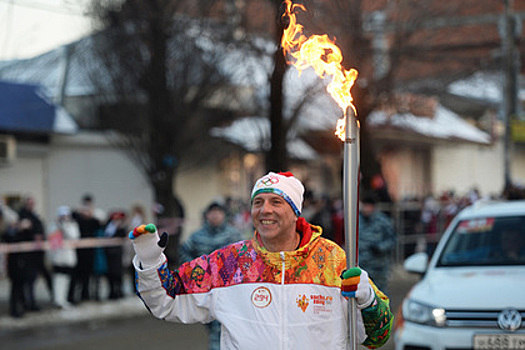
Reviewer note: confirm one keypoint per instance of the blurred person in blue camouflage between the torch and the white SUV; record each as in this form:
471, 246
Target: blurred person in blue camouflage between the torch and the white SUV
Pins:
377, 240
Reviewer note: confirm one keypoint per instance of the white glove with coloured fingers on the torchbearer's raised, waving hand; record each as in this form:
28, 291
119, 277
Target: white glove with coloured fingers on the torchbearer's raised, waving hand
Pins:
148, 246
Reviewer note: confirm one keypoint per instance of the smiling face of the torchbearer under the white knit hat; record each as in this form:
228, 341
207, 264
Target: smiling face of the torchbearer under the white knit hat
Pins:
273, 217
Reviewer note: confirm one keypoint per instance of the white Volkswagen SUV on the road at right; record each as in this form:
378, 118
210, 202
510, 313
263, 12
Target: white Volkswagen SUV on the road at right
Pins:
472, 293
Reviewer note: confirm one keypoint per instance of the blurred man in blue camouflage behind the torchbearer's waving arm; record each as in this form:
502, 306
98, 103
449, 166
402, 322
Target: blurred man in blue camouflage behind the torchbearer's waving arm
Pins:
214, 234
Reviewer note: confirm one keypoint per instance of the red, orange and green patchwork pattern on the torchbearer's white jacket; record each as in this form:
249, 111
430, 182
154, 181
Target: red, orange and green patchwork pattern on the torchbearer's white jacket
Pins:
319, 261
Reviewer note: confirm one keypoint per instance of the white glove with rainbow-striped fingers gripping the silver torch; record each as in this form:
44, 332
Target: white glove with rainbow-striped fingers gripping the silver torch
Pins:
355, 284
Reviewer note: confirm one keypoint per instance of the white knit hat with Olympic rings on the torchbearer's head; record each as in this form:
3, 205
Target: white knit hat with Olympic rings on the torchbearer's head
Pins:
284, 185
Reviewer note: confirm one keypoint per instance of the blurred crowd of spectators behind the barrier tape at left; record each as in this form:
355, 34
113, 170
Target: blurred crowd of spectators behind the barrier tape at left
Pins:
73, 272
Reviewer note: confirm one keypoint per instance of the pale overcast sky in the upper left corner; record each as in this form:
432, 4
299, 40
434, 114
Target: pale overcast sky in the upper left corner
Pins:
32, 27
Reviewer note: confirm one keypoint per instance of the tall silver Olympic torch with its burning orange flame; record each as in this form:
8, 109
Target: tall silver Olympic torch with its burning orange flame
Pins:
321, 54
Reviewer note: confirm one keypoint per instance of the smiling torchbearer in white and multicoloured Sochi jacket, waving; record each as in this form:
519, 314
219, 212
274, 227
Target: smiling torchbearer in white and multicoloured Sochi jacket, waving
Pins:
279, 290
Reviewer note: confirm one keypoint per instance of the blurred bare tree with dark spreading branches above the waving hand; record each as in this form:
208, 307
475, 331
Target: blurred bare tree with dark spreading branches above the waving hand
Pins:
160, 79
